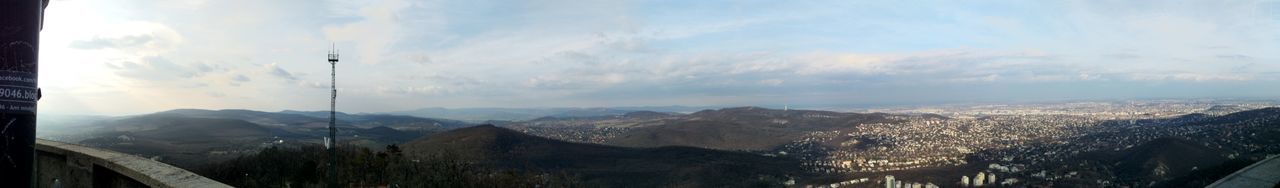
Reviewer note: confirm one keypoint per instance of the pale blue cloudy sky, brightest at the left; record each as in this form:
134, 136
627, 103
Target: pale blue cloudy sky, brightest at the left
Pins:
136, 57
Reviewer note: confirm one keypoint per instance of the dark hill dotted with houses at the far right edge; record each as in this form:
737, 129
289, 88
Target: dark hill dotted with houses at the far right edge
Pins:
1188, 159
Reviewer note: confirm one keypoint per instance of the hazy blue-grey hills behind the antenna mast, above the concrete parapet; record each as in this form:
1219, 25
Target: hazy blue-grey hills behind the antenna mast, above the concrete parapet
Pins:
190, 137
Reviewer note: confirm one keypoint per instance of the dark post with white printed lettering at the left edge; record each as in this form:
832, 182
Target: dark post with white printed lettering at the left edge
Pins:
20, 44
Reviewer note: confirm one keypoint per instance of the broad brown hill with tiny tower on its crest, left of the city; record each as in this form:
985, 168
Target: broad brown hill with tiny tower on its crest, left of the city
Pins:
742, 129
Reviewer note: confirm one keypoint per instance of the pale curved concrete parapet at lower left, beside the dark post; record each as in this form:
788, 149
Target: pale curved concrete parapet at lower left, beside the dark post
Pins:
74, 167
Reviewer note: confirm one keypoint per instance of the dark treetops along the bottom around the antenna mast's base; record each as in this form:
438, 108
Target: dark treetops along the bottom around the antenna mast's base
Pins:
305, 167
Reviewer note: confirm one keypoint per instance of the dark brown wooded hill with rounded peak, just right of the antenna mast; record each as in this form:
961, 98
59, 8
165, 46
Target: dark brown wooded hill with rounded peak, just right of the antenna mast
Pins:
609, 166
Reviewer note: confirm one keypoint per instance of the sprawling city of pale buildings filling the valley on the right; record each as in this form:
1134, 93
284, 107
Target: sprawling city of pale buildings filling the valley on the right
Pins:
1017, 141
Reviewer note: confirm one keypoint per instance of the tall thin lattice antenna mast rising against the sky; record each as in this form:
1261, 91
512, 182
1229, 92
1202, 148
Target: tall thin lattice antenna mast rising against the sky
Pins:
333, 121
